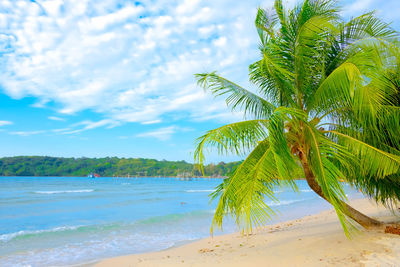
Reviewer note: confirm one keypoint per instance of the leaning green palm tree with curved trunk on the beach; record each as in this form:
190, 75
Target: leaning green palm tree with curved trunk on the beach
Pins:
325, 90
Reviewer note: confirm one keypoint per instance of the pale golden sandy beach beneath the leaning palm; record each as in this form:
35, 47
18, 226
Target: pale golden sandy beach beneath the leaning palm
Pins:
315, 240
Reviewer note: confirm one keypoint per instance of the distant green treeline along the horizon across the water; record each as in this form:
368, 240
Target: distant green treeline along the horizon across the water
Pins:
54, 166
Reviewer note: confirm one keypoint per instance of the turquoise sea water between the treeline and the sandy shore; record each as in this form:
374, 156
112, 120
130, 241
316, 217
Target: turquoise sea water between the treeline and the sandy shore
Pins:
57, 221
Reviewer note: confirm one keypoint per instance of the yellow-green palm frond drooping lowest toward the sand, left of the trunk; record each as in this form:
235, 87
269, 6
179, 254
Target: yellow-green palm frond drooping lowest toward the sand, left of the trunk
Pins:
243, 194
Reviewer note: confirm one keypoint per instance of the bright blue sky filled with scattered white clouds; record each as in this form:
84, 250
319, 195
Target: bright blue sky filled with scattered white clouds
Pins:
85, 78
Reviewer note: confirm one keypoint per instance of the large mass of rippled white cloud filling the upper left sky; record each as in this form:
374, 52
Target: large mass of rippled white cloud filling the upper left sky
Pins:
128, 62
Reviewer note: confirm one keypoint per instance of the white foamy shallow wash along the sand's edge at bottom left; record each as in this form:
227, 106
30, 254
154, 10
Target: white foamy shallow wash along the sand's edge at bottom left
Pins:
89, 251
